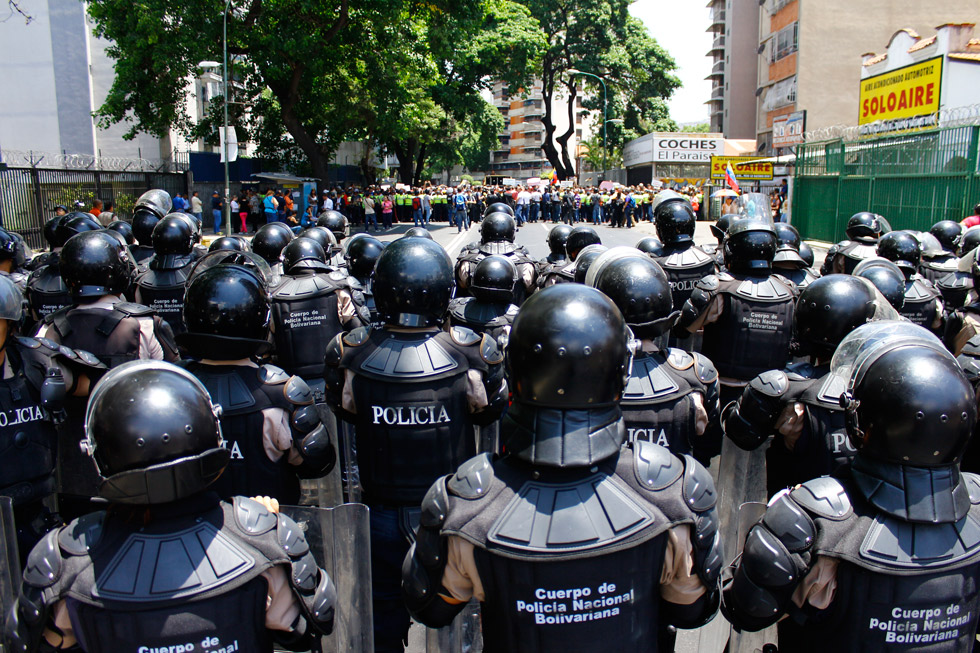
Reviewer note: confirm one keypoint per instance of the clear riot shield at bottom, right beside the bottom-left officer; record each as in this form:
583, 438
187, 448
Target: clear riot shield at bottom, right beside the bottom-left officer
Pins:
340, 540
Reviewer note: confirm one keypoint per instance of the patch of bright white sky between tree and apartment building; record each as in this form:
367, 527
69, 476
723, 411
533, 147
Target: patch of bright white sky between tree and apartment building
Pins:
679, 26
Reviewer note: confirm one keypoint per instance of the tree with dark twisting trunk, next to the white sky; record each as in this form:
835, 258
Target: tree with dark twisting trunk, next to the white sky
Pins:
599, 37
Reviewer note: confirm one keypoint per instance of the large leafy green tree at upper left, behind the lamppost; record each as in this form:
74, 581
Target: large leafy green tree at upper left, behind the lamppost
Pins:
307, 75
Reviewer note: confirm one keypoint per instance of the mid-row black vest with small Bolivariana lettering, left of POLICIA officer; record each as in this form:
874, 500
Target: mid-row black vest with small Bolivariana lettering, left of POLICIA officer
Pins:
304, 308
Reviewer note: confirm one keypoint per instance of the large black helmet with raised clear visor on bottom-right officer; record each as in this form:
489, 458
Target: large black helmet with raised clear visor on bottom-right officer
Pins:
909, 403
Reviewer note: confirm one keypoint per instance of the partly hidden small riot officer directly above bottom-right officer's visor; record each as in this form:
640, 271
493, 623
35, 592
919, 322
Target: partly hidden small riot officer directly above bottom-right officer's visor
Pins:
923, 304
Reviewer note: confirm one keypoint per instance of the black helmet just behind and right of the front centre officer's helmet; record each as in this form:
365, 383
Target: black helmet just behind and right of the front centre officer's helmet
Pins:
641, 291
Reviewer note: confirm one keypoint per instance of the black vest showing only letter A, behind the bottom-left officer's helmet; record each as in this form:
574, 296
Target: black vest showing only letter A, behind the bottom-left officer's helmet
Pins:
243, 393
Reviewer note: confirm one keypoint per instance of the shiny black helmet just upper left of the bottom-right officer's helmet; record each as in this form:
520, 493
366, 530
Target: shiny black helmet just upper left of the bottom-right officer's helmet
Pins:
830, 308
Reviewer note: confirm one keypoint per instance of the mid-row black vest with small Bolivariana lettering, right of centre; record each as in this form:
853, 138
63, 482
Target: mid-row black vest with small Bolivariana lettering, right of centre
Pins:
754, 330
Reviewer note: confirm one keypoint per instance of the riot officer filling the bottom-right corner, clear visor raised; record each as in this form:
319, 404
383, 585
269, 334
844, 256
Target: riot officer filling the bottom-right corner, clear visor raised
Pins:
884, 555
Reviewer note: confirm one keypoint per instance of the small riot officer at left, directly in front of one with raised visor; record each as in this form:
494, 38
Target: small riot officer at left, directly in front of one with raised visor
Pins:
161, 286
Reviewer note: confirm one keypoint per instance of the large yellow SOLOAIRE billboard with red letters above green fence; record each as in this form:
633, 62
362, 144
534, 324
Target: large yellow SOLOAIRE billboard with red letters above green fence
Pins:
901, 99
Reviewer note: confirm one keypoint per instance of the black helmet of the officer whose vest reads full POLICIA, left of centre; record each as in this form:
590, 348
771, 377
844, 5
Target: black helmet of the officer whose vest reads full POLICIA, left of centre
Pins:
413, 282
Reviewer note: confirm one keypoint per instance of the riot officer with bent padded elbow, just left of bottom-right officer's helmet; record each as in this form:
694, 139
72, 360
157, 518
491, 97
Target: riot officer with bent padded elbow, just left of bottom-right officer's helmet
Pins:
799, 406
